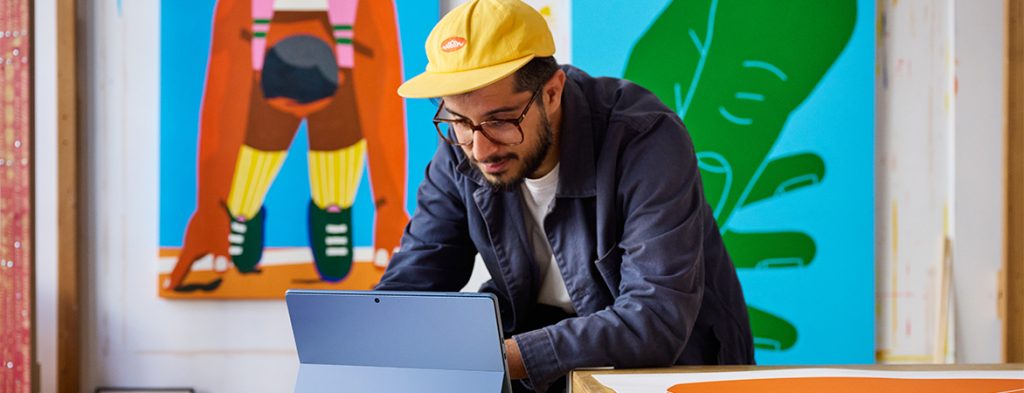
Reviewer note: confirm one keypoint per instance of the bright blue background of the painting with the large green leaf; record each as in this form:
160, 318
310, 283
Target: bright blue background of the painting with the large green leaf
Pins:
832, 301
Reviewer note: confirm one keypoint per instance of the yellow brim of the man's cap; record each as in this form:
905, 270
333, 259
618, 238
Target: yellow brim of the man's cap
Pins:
431, 85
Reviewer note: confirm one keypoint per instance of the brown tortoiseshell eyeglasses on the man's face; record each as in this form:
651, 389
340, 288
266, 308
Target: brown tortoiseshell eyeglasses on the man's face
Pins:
506, 133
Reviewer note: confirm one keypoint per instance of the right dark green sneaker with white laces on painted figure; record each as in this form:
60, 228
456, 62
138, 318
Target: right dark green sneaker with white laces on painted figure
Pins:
331, 241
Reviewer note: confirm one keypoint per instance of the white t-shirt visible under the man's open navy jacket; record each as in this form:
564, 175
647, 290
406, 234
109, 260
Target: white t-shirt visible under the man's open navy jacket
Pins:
538, 196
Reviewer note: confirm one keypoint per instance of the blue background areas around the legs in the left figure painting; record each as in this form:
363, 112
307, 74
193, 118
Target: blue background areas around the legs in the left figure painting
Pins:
185, 47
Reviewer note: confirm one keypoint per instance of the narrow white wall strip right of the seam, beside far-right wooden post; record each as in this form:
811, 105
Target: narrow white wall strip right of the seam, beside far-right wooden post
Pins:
979, 199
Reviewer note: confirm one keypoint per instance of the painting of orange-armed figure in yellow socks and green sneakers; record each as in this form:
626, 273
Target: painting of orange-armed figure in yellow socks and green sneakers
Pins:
296, 109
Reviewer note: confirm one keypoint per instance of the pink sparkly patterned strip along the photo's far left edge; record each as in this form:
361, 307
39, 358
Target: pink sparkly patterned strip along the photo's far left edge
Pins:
16, 190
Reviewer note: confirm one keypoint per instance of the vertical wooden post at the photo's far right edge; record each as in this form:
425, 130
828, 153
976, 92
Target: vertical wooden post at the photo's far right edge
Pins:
1014, 323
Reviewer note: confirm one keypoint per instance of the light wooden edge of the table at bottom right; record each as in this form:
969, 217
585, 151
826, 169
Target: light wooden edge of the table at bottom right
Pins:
584, 382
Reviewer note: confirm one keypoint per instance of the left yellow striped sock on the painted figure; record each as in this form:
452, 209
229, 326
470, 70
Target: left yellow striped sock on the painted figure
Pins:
254, 172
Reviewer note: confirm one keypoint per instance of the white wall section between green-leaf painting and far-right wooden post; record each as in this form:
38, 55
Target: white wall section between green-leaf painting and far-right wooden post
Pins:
941, 177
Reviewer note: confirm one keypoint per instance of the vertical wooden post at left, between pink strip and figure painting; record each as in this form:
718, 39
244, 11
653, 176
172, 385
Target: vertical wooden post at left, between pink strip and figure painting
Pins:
69, 192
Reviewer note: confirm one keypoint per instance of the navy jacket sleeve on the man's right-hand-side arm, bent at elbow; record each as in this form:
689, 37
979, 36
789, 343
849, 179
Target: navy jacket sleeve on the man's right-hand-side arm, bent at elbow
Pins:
663, 267
